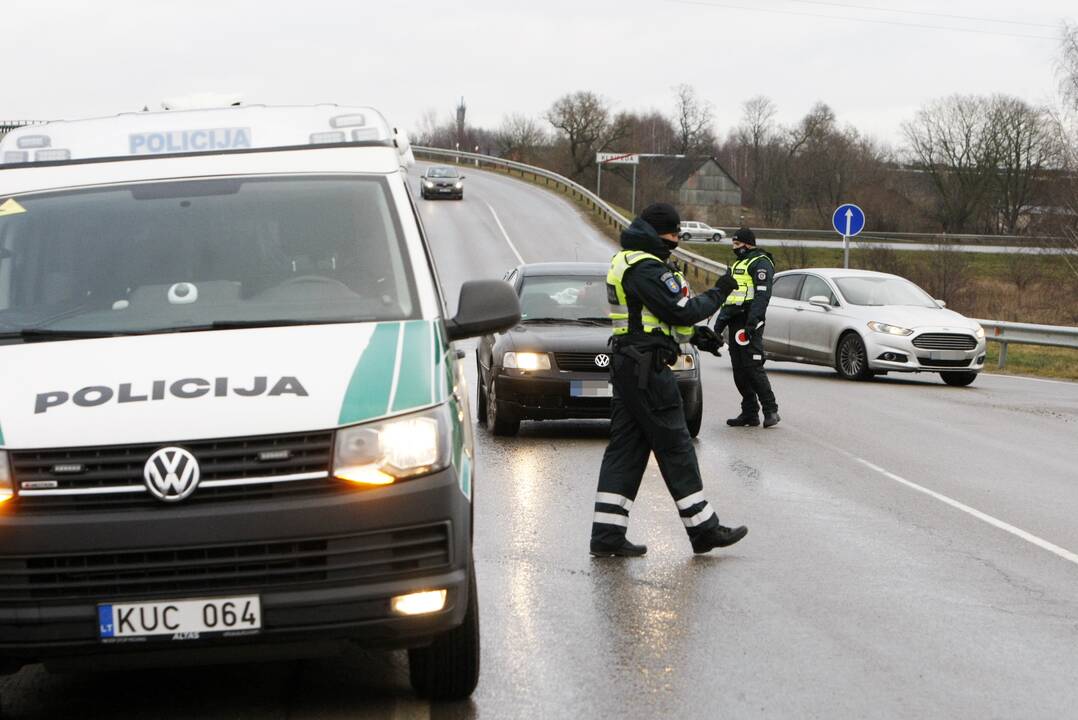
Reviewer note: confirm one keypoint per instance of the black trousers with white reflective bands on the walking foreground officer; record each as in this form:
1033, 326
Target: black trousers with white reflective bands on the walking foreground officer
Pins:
646, 421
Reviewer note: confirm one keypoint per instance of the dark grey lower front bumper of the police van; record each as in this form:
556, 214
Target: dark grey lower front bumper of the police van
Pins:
324, 567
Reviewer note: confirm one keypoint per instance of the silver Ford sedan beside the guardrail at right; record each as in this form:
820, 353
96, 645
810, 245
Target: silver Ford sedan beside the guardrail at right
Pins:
867, 324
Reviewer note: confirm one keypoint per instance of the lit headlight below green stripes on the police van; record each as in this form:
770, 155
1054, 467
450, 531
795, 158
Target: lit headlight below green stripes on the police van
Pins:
388, 451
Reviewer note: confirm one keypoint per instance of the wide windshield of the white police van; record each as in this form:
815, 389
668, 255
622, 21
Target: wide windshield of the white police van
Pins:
169, 256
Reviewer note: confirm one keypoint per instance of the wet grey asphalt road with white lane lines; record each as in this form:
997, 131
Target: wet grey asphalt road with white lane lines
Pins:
856, 594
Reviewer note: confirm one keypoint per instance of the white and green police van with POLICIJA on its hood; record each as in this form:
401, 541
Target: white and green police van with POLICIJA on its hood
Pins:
232, 424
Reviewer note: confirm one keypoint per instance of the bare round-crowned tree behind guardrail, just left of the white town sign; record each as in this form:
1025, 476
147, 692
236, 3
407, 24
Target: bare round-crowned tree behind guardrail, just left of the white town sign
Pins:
586, 121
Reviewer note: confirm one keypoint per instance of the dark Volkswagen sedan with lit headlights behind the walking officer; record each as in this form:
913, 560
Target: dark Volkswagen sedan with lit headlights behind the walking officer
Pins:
556, 364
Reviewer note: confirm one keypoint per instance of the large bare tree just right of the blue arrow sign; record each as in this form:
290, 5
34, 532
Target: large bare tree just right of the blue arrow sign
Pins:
951, 141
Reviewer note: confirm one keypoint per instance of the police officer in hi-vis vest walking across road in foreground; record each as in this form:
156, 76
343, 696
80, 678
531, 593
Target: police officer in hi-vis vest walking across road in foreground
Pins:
653, 313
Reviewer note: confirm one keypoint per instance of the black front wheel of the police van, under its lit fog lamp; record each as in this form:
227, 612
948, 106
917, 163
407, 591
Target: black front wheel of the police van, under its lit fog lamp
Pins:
449, 668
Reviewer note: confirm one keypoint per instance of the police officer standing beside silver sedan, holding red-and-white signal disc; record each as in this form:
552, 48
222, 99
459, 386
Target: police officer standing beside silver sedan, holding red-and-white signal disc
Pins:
743, 314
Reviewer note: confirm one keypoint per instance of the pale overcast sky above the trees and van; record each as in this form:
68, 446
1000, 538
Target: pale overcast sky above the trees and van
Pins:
874, 65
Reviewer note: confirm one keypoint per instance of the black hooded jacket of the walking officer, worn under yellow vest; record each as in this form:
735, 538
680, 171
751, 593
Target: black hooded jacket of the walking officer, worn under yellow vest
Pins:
653, 284
